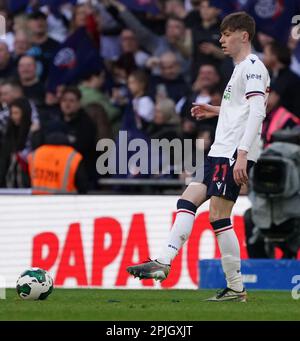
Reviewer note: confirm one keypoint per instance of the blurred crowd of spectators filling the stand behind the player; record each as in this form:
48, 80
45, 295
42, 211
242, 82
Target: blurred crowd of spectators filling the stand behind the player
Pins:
73, 72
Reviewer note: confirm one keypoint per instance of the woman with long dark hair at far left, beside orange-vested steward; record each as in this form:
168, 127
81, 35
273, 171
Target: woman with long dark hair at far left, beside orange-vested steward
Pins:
16, 145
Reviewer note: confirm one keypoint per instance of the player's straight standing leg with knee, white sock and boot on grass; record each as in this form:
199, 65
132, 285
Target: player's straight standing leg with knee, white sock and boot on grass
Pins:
220, 212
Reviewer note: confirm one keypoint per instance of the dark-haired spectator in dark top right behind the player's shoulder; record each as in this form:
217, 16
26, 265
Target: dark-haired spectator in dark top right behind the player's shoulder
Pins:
285, 83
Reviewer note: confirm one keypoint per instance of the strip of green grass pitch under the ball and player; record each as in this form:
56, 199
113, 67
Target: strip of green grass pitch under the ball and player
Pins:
149, 305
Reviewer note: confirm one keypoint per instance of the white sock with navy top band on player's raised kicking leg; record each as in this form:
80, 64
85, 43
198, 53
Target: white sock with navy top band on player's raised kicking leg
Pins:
179, 232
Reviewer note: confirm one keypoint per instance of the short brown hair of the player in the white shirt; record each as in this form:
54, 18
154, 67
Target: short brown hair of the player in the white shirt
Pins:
239, 21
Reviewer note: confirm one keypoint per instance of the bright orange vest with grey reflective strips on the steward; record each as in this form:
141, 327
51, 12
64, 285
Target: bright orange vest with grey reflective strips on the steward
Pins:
53, 168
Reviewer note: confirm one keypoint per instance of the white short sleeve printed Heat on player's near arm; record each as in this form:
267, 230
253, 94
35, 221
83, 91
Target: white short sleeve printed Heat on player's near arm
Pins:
254, 78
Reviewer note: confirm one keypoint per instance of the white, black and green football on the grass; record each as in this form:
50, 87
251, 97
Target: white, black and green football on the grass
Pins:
34, 284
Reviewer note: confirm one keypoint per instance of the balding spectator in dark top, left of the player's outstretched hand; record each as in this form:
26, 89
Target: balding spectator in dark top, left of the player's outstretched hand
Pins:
170, 83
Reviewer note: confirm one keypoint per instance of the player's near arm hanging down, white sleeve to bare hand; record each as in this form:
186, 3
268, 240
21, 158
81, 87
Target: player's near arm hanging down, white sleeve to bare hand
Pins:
255, 94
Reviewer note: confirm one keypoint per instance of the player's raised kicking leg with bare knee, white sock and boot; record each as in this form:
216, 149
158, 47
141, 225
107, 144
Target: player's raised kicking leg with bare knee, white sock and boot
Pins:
191, 199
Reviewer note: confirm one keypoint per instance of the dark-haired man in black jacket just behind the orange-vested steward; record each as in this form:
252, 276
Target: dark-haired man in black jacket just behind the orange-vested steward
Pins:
80, 129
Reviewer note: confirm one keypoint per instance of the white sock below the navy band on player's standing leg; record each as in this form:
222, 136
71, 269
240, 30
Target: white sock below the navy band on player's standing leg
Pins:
231, 260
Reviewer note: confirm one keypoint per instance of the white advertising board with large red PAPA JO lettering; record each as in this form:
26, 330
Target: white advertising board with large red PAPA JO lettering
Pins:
88, 241
